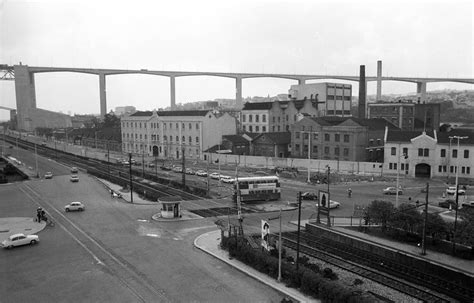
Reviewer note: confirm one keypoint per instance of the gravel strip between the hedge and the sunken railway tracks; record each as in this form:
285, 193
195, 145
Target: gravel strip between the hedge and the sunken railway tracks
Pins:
348, 278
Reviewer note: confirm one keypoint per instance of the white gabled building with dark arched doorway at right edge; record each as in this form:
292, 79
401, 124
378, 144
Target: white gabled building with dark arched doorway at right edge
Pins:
429, 154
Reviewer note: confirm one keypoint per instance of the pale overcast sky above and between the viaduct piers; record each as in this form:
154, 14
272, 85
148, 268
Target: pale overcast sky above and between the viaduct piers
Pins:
413, 38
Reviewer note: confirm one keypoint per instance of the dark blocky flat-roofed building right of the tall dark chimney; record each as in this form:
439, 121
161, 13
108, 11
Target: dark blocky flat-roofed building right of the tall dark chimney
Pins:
407, 115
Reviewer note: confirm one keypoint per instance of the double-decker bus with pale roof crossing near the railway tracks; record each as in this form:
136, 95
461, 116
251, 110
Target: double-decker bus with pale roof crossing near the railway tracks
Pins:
258, 188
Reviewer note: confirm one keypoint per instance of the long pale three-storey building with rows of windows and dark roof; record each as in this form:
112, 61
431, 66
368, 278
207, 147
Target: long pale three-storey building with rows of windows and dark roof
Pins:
167, 134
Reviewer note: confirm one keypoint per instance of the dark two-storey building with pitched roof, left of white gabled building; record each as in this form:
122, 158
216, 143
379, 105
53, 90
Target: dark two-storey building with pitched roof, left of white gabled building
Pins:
334, 138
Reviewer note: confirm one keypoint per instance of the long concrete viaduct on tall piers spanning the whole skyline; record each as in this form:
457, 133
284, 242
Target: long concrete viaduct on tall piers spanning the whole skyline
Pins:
23, 75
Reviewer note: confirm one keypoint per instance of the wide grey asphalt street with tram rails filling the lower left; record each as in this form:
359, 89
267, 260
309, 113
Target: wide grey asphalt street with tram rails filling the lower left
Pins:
111, 252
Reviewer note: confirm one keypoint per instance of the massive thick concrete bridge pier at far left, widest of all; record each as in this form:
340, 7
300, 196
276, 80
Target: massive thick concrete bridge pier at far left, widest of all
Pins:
25, 95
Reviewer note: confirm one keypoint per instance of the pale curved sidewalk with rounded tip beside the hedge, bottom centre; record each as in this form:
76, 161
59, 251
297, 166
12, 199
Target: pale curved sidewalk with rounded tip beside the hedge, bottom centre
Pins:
209, 243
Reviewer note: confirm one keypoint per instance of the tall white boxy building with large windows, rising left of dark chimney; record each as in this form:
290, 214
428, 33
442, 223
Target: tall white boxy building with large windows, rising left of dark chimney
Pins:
332, 99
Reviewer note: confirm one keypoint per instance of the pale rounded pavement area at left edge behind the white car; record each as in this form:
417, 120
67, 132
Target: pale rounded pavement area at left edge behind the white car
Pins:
15, 225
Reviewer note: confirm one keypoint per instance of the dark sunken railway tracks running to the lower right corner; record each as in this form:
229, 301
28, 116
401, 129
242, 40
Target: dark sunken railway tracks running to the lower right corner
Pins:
418, 284
